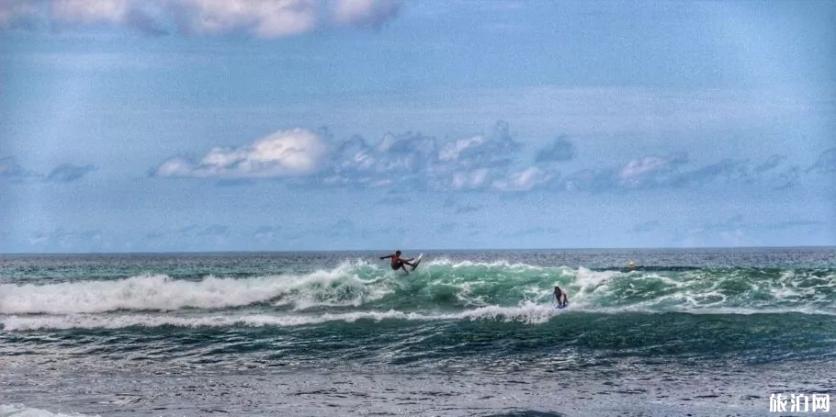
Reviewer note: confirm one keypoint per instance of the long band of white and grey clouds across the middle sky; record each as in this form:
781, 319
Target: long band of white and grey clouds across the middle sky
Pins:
492, 161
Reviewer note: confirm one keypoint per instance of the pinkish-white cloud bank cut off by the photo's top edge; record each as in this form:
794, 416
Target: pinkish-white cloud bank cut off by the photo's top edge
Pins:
268, 19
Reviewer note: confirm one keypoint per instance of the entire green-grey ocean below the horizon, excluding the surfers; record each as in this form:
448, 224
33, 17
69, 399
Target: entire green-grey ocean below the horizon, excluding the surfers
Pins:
693, 332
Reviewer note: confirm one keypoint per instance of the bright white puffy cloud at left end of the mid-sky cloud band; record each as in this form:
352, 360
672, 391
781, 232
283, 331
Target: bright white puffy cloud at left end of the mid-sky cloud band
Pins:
283, 154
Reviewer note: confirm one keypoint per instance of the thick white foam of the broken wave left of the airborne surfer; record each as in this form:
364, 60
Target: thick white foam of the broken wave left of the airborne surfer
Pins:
339, 286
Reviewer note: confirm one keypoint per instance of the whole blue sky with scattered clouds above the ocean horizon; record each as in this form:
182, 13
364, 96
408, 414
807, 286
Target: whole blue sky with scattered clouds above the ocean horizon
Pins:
235, 125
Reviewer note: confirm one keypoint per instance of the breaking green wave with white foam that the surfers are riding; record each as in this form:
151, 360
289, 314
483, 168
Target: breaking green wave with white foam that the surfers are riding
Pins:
440, 285
